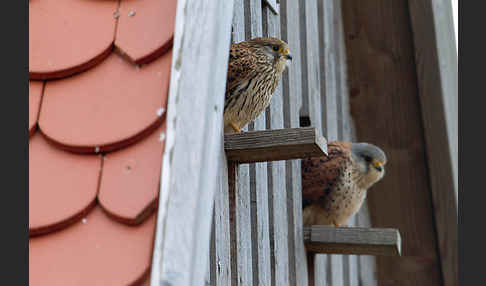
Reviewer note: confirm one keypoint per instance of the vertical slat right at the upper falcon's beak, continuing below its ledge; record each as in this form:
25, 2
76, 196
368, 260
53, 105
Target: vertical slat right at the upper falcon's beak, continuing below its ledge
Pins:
290, 31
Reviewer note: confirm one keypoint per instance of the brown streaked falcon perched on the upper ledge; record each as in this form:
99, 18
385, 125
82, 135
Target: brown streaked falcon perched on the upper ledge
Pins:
254, 70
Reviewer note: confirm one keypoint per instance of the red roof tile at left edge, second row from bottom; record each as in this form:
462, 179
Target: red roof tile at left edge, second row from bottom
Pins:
63, 185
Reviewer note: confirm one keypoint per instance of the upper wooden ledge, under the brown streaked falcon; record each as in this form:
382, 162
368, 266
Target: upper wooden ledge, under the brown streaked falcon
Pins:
274, 145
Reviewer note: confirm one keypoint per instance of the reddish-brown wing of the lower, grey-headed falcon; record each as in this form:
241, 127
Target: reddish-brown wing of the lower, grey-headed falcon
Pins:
320, 174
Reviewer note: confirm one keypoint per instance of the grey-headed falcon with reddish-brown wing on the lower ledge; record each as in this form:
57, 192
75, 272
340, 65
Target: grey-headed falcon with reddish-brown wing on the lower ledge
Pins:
334, 187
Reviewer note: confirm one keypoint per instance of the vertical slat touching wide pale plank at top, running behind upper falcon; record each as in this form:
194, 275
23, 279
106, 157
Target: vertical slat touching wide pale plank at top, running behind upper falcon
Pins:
242, 247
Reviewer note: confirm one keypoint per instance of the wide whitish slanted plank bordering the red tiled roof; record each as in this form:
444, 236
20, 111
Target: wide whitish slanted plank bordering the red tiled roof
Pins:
186, 198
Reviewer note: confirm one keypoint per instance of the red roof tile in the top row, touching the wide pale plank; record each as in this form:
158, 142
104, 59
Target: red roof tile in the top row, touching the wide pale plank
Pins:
145, 28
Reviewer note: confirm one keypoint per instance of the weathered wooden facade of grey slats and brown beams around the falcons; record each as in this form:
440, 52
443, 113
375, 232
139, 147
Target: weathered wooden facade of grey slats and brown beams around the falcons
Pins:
361, 71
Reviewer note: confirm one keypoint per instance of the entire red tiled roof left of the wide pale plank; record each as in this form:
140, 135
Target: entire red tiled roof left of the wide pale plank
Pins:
99, 79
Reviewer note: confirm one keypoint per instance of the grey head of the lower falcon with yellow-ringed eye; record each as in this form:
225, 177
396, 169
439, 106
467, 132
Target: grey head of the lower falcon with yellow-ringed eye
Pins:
370, 161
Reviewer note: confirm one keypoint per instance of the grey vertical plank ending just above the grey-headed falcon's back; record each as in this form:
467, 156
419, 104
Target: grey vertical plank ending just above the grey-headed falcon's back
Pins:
311, 90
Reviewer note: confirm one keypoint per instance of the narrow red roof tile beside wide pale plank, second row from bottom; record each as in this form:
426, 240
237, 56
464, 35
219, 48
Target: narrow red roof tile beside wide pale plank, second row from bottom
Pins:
130, 182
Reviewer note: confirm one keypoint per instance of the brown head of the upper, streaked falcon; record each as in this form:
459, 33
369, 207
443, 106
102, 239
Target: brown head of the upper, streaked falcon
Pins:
276, 51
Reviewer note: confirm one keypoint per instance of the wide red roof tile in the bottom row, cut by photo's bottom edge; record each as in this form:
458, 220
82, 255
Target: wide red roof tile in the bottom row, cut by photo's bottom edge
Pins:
94, 251
